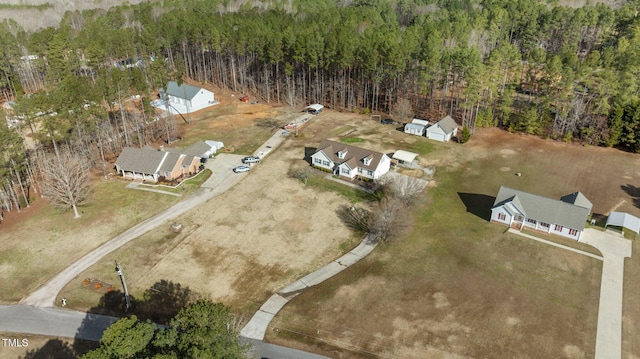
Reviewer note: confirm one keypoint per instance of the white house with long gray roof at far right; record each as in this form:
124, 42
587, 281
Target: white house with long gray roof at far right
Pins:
565, 217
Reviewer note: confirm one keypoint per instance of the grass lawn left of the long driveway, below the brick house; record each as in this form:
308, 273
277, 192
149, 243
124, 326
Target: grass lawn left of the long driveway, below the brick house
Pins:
56, 239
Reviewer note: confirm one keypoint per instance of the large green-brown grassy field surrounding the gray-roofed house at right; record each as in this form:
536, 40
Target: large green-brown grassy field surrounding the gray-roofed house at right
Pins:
456, 285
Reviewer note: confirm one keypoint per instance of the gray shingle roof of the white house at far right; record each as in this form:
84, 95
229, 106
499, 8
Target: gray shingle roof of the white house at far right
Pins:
544, 209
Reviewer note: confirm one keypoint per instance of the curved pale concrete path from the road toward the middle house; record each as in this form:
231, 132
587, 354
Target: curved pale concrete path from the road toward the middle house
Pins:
257, 326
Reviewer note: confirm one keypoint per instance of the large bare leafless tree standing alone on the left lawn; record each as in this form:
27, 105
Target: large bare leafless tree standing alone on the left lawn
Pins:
65, 179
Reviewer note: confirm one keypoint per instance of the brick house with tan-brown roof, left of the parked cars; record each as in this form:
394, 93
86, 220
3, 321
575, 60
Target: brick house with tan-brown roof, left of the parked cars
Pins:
148, 164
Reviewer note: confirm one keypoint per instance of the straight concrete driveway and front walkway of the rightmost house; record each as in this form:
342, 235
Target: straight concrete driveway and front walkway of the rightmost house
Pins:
614, 250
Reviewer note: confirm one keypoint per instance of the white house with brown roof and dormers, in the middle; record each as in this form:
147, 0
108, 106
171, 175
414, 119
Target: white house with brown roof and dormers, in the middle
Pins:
349, 161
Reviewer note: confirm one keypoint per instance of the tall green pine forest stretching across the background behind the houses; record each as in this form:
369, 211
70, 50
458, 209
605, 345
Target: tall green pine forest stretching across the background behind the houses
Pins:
533, 66
